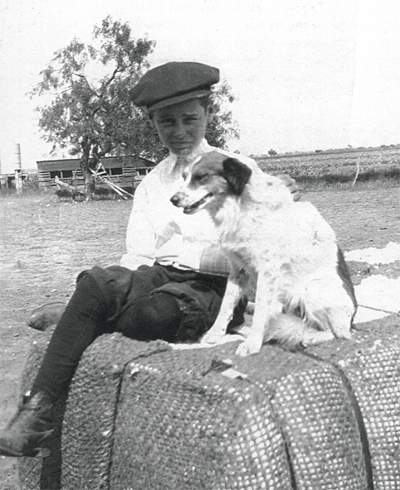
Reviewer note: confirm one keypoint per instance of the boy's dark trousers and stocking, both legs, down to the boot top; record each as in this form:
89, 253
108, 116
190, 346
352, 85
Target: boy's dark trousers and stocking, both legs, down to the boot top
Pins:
149, 303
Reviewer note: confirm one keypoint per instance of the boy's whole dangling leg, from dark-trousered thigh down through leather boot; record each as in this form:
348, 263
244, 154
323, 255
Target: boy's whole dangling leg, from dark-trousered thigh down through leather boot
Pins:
98, 299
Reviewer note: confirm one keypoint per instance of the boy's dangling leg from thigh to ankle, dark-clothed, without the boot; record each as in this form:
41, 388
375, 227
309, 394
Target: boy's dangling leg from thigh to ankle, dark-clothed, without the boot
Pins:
99, 299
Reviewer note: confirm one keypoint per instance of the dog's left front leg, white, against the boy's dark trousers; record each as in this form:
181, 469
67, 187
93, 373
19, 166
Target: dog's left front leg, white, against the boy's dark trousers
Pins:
225, 315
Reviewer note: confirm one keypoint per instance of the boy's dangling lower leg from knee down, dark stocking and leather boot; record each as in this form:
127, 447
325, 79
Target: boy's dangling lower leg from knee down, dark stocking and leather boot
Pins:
32, 423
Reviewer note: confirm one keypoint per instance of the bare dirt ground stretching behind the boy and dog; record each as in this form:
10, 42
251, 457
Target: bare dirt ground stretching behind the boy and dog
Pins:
45, 243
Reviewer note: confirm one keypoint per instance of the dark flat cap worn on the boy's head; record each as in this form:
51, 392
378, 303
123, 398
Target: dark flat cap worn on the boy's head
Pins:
173, 83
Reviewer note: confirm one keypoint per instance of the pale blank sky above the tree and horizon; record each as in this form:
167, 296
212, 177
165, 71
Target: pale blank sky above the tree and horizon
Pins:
307, 74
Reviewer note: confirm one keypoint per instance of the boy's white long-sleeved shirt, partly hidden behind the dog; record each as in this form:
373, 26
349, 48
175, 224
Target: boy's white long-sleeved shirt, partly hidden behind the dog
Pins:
160, 232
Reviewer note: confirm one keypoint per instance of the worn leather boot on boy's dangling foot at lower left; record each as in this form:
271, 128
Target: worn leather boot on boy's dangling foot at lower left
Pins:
29, 428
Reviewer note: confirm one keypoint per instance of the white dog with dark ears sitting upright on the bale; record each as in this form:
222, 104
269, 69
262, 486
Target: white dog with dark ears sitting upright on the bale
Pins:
283, 250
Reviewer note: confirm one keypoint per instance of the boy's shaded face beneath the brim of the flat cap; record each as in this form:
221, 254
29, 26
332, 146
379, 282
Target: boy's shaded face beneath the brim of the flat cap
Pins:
181, 127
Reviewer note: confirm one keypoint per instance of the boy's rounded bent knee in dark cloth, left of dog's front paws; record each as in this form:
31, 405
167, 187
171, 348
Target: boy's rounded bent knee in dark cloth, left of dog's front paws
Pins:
157, 316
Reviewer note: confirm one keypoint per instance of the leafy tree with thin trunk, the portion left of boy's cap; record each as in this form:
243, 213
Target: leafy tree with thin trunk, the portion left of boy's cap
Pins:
93, 116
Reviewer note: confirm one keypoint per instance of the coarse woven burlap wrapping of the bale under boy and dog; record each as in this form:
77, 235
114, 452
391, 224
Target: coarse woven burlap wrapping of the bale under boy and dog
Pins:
143, 416
